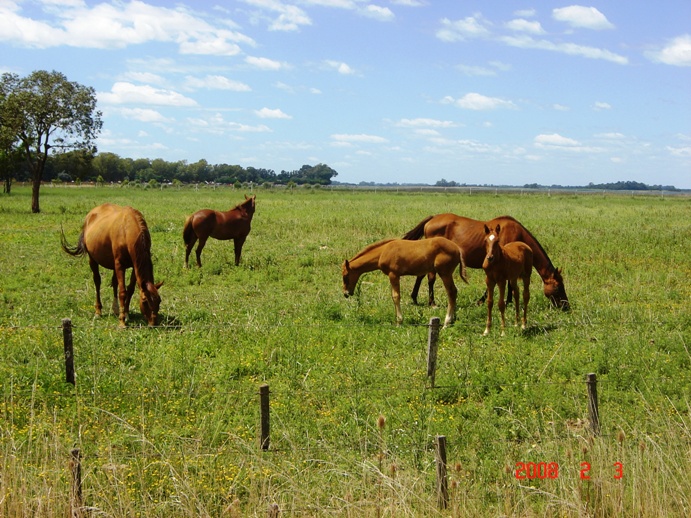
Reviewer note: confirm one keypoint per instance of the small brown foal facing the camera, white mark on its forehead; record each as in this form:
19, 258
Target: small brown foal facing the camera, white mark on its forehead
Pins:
504, 263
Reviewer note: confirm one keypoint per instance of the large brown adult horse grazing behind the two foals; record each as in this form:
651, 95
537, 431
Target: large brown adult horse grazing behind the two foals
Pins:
470, 236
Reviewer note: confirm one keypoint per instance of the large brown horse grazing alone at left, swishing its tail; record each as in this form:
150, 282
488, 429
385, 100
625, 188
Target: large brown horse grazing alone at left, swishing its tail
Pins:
117, 238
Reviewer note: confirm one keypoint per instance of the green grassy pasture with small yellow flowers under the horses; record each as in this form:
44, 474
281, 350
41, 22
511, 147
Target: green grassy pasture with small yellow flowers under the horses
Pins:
167, 418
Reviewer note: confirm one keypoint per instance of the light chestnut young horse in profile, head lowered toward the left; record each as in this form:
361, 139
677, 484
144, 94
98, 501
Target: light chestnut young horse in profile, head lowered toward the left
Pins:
397, 257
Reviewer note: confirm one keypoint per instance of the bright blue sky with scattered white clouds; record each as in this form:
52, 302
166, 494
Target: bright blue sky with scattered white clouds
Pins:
387, 91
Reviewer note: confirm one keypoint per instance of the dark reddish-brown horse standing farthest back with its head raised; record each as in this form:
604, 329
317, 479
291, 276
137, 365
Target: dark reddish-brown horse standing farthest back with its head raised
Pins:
233, 224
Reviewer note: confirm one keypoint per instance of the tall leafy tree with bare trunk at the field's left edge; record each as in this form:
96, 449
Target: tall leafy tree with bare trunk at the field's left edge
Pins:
46, 113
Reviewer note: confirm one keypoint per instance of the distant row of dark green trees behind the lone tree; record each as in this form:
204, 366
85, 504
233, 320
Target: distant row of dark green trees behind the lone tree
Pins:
109, 167
